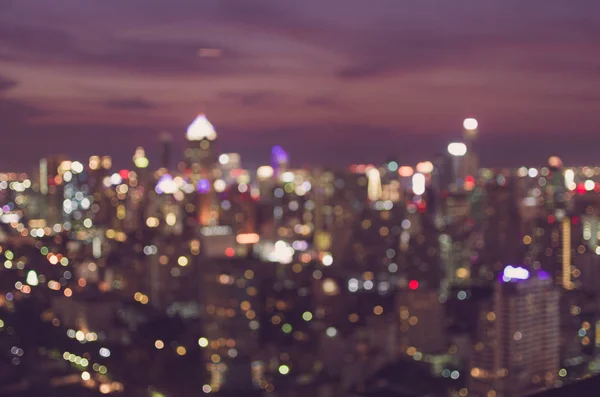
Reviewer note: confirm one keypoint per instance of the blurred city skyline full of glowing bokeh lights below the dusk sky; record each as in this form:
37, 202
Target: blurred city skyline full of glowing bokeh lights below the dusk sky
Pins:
196, 276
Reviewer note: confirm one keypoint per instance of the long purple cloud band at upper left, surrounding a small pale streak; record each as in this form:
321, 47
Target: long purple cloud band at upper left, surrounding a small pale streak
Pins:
156, 57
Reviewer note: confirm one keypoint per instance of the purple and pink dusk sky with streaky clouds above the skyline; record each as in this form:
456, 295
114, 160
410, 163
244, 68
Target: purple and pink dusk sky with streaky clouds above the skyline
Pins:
332, 81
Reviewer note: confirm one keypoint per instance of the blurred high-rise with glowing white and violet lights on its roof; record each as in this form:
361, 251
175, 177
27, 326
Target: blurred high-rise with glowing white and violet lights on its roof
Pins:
517, 351
